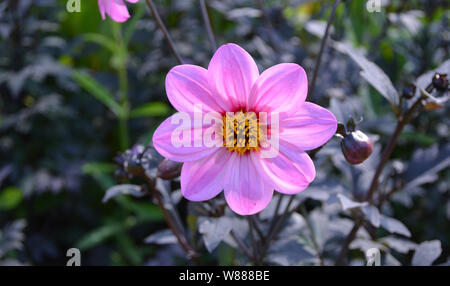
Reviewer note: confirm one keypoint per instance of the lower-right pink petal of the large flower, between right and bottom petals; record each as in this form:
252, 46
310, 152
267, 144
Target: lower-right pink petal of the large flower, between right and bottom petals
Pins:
290, 172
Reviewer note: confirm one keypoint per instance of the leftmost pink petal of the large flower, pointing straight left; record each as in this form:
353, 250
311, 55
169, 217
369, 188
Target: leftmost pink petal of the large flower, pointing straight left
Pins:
162, 141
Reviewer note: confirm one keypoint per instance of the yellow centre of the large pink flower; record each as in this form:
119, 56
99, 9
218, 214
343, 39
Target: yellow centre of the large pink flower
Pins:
241, 132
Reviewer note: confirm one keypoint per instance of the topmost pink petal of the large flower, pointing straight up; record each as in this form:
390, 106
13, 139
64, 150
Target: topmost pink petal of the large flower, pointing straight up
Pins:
232, 72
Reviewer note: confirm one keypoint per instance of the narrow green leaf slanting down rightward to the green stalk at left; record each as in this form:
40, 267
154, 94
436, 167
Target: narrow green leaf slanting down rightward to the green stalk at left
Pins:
98, 91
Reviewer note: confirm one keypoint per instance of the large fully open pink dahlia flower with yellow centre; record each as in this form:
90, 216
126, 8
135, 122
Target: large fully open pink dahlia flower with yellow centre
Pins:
232, 83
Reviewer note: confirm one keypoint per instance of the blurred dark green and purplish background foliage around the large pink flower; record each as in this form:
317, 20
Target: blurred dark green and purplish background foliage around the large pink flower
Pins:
74, 90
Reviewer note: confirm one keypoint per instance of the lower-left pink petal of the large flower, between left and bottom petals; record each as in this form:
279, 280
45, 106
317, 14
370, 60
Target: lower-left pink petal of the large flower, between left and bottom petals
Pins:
204, 179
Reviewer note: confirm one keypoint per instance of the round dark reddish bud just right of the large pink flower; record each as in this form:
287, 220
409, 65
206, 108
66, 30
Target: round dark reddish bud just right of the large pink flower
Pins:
356, 147
